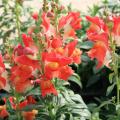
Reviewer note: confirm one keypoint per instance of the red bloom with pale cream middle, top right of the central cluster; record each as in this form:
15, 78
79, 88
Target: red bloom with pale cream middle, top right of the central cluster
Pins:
70, 23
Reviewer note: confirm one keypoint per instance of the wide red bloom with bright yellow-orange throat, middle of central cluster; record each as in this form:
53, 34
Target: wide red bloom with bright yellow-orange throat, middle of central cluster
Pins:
53, 63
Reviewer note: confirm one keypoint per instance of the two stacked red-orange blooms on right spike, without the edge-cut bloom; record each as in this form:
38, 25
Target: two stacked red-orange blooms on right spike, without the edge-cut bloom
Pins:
98, 33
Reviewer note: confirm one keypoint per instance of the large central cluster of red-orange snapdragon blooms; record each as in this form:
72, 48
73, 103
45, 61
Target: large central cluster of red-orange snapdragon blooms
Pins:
52, 60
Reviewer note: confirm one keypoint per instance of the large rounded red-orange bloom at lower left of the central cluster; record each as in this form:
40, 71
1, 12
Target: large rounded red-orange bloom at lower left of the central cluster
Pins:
20, 77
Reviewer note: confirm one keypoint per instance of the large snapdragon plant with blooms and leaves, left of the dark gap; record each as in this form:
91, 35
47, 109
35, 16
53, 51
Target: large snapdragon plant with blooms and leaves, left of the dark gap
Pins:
39, 67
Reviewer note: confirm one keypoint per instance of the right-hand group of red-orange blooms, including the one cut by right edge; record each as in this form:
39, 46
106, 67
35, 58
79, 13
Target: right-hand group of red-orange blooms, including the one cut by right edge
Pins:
100, 33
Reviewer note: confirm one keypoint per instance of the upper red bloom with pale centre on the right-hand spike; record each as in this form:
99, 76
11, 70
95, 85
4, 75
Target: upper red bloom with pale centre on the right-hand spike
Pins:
98, 30
